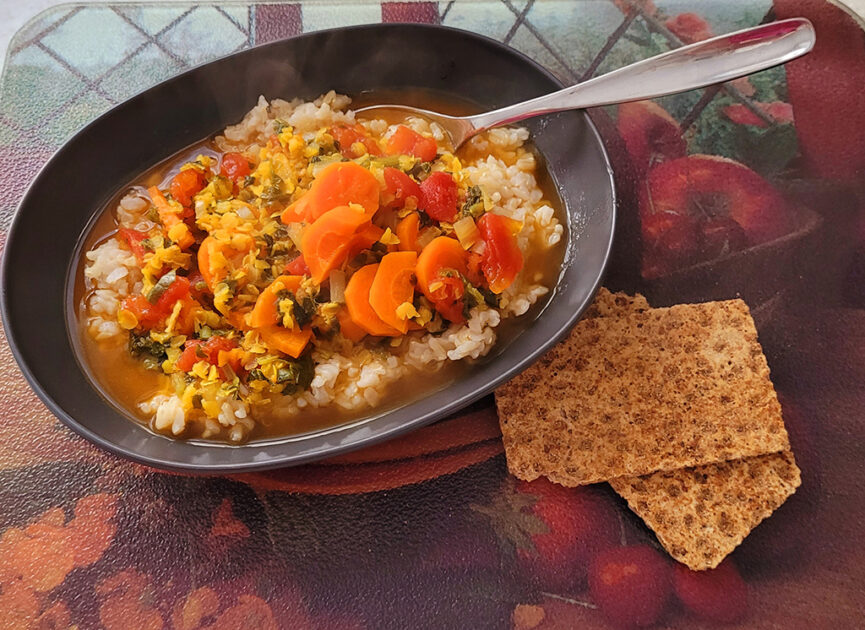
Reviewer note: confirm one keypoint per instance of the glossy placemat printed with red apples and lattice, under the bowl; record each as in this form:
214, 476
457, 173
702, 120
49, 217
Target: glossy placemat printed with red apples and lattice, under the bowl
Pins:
751, 189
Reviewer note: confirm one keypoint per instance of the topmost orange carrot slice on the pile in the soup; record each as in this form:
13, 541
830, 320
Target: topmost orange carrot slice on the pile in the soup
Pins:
338, 184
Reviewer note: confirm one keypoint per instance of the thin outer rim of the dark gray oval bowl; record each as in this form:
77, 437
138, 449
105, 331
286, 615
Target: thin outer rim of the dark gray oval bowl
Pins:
250, 465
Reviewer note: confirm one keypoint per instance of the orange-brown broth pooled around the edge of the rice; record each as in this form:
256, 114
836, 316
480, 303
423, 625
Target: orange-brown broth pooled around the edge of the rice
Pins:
125, 382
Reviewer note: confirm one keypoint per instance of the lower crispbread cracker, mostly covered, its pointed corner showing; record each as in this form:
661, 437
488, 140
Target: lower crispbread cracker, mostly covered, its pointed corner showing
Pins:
701, 514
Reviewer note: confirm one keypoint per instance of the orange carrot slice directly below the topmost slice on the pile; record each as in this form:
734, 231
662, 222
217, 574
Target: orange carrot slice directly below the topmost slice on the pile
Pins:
325, 244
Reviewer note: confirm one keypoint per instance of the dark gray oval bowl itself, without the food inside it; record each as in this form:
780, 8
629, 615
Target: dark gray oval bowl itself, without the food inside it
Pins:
40, 251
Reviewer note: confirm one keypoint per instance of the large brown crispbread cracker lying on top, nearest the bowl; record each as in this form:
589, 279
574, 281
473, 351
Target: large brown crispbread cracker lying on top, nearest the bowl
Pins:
657, 390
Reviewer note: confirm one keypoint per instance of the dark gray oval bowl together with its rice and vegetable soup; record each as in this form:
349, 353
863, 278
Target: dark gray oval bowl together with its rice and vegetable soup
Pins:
297, 281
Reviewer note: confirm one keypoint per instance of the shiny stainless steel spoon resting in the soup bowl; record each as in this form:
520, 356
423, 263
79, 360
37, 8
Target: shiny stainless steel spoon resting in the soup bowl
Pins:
690, 67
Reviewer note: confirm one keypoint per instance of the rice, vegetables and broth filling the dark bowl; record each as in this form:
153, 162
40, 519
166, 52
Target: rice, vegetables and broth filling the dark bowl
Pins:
305, 266
